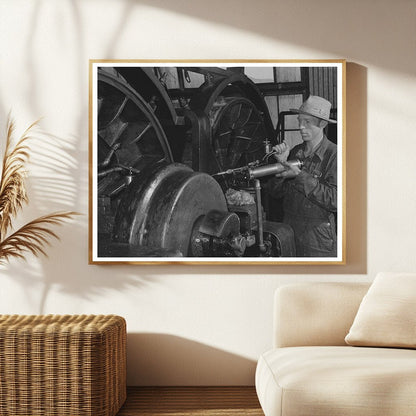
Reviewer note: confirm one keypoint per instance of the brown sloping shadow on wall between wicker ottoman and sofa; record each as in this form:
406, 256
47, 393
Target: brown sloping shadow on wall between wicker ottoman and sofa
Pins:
161, 359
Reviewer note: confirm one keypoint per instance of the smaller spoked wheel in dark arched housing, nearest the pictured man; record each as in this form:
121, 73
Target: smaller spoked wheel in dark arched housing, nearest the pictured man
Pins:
238, 132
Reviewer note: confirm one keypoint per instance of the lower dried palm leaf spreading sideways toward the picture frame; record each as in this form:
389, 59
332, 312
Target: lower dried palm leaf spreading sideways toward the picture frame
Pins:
33, 237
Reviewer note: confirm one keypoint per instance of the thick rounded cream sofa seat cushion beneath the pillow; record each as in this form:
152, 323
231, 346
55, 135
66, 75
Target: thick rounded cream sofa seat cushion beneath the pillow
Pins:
304, 381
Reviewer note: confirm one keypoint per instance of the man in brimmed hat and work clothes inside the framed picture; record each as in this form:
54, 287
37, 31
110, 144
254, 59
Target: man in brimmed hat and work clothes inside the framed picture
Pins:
310, 192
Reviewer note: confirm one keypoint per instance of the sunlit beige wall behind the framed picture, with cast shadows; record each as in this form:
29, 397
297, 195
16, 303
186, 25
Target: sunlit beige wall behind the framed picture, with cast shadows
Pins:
189, 324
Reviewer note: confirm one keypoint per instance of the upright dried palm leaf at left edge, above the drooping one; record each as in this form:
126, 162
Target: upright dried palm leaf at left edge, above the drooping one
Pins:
12, 183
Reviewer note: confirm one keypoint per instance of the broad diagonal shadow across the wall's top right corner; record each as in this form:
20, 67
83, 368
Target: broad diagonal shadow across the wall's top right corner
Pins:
355, 28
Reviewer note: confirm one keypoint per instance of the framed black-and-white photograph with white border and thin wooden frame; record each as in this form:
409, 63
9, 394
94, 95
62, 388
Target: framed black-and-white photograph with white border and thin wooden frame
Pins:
206, 162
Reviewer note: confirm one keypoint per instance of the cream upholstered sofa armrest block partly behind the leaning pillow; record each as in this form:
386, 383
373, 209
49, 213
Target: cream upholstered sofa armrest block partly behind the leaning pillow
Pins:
308, 314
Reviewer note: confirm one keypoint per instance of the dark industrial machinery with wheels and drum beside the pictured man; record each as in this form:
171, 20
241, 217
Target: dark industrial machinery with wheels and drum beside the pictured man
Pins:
179, 168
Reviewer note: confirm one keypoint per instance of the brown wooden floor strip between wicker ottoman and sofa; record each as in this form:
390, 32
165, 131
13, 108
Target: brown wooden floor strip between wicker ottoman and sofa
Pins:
191, 401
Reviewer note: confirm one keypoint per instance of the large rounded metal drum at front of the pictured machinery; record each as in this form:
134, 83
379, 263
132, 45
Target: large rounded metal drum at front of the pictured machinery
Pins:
161, 210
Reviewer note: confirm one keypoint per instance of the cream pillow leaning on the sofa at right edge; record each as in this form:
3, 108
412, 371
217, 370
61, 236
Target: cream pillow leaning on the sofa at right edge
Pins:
387, 314
